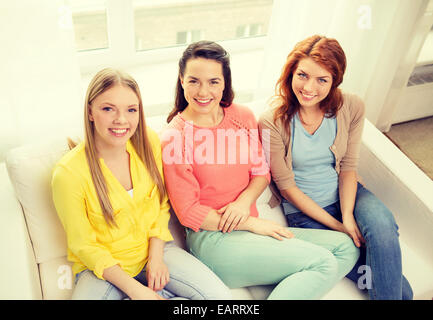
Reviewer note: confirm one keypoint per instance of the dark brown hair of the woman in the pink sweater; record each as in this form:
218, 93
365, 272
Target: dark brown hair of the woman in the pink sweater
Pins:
207, 50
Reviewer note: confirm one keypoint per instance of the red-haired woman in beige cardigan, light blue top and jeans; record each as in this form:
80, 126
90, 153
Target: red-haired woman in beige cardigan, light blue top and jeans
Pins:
315, 136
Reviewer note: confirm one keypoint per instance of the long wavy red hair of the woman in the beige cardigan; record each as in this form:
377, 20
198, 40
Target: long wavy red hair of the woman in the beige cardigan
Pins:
328, 53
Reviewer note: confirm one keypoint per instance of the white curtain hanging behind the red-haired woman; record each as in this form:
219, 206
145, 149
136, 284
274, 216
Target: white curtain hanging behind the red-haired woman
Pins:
375, 36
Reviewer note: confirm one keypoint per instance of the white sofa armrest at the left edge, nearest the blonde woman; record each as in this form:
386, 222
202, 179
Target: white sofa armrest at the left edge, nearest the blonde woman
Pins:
19, 274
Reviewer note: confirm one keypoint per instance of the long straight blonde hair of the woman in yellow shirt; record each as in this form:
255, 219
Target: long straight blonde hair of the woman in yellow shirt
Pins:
102, 81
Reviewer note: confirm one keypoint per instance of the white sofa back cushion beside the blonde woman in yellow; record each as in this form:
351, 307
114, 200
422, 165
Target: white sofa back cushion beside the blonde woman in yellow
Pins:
30, 168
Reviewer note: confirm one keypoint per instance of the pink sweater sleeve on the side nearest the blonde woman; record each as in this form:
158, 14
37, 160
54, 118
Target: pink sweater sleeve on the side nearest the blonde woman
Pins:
182, 186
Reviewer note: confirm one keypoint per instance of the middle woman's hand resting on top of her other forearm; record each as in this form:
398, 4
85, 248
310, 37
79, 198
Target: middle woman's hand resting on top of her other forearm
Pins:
233, 214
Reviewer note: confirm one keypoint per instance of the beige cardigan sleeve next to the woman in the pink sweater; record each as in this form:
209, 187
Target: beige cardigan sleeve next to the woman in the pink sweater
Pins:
275, 147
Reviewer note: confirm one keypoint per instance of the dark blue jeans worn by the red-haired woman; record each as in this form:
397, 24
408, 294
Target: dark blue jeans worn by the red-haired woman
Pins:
379, 268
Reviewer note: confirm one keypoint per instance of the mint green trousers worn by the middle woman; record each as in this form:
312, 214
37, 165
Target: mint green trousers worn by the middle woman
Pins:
304, 267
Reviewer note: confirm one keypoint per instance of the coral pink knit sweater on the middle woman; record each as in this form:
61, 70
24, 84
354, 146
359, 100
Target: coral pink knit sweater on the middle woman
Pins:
207, 168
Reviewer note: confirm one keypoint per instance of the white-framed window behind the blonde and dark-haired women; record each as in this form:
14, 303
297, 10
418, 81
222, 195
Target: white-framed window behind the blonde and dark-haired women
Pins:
126, 33
